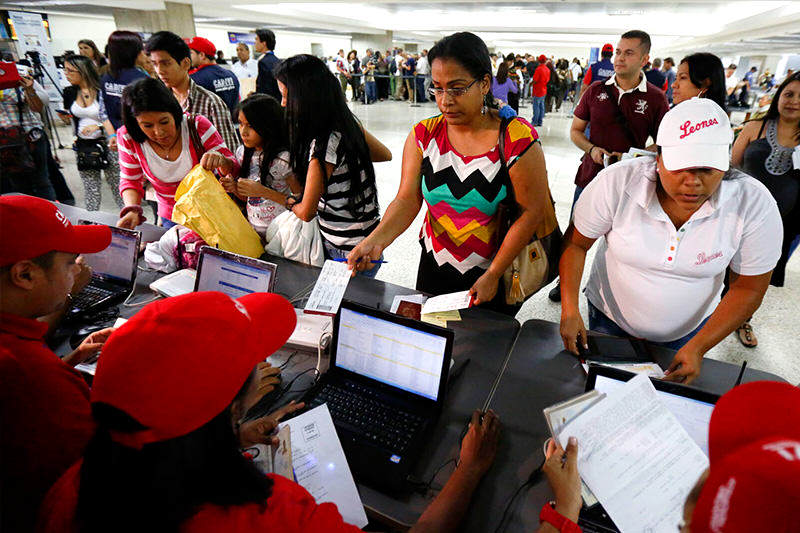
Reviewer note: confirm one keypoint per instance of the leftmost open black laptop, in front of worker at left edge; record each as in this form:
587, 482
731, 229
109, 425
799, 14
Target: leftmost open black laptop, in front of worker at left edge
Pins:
113, 273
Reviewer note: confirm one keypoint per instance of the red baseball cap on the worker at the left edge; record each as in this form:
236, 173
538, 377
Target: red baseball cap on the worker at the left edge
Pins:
30, 227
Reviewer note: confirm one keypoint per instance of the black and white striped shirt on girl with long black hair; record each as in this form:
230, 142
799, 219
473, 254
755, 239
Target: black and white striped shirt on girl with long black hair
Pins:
342, 227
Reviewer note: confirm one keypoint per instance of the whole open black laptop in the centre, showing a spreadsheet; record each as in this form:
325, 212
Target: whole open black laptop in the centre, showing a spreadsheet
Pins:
385, 389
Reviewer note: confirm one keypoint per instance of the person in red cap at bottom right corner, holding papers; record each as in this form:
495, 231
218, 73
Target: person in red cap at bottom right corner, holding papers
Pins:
752, 484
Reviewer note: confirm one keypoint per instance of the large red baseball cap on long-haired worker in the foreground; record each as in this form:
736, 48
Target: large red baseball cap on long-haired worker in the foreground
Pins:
179, 362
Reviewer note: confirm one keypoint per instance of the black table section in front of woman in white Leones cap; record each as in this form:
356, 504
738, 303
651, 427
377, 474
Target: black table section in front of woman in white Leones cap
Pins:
539, 374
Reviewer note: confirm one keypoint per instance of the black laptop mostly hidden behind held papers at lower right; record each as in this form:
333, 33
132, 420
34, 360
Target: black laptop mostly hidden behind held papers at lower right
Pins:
692, 407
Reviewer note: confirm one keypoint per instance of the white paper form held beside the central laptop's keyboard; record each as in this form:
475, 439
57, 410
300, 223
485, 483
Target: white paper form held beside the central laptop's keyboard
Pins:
320, 465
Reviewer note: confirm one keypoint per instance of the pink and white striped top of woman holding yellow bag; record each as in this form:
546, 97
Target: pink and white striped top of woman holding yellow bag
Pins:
134, 166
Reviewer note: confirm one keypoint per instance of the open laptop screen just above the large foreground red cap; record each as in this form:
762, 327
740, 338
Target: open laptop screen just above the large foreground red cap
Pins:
233, 274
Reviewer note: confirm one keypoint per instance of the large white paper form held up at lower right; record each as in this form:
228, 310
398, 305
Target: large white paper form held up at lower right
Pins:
636, 458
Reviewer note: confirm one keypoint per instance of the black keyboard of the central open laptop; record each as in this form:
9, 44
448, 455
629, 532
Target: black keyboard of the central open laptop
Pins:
355, 408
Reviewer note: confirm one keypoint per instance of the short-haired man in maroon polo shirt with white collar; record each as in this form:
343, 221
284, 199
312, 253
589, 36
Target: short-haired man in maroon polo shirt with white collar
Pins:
621, 112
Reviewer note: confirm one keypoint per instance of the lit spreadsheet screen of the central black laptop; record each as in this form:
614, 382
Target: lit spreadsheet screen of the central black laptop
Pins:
397, 355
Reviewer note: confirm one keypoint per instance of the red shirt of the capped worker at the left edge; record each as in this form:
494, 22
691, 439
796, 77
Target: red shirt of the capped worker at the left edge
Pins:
45, 419
